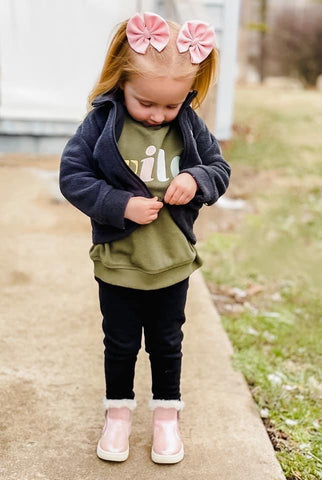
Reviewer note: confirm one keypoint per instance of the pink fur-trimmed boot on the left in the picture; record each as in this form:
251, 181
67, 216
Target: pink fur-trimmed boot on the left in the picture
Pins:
114, 442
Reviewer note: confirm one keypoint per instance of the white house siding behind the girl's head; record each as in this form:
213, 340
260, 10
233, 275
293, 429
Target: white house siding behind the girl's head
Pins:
51, 53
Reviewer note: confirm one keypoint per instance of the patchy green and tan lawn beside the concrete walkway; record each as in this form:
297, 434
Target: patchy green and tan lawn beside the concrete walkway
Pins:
264, 266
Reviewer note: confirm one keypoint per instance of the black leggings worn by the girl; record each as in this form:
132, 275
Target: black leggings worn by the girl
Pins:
160, 313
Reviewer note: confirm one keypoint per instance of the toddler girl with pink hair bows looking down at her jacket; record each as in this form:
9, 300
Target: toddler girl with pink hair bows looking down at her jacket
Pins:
141, 165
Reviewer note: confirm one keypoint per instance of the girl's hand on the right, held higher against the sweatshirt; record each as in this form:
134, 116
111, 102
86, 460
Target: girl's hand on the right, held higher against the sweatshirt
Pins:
181, 190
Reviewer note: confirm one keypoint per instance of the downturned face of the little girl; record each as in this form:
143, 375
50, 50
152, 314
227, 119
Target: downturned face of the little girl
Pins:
153, 101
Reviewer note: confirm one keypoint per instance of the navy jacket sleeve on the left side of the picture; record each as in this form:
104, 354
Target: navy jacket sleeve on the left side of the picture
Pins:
79, 179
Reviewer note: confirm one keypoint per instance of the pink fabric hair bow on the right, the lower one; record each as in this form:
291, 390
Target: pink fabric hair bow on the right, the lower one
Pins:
197, 37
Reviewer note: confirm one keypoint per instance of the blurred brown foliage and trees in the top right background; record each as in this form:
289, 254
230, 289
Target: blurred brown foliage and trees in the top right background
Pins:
283, 38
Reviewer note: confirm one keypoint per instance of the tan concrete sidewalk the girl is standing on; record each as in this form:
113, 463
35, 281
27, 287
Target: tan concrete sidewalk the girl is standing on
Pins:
51, 370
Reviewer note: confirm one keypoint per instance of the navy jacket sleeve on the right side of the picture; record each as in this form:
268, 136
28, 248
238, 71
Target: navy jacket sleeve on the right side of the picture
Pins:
213, 173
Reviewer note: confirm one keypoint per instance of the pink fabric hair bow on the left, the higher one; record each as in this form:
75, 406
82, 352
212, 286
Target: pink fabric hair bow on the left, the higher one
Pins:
147, 28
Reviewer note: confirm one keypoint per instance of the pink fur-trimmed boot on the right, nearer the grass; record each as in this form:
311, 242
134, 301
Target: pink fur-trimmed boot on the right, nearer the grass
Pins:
167, 445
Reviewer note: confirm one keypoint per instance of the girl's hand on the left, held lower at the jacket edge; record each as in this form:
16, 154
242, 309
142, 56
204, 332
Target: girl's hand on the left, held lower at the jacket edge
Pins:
142, 210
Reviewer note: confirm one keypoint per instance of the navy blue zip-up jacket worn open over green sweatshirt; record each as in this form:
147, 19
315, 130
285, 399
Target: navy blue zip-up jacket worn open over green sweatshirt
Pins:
96, 180
